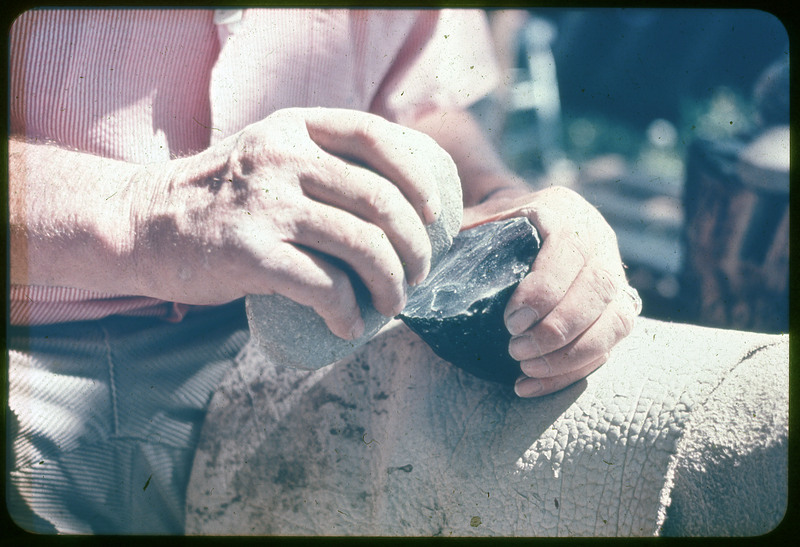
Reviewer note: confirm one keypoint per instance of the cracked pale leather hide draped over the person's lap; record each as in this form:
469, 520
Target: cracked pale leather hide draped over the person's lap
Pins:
683, 431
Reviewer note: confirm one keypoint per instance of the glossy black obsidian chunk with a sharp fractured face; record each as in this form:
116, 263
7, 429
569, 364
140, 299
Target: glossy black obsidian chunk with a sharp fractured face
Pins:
458, 310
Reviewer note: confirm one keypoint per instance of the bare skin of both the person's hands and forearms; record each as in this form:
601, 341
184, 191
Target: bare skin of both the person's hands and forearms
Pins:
248, 215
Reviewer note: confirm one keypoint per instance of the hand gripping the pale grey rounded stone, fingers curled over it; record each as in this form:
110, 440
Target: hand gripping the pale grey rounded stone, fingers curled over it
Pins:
259, 213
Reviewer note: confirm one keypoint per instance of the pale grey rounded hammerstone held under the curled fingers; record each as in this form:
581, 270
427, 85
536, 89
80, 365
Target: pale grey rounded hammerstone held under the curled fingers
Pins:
290, 334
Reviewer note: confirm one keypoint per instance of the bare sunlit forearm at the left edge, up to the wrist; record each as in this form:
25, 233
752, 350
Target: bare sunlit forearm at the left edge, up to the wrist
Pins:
70, 218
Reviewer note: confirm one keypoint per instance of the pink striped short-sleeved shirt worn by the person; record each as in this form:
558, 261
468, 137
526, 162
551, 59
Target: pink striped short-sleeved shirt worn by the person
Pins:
147, 85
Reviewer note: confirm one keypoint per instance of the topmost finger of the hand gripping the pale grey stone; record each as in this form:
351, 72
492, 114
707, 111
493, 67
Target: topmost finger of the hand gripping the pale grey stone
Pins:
400, 154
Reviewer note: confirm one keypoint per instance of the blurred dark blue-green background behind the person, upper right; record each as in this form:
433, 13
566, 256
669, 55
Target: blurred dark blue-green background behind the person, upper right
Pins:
675, 124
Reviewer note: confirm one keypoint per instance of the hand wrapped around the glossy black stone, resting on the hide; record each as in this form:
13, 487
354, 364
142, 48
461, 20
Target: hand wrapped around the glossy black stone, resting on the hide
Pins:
575, 304
